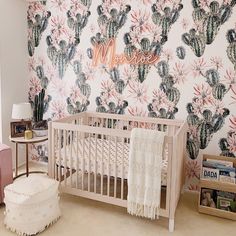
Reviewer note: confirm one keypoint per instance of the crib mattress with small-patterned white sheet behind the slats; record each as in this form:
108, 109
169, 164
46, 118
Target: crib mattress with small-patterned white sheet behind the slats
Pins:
100, 156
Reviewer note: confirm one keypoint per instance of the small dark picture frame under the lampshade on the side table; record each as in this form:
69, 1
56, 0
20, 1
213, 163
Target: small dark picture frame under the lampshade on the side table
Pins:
18, 128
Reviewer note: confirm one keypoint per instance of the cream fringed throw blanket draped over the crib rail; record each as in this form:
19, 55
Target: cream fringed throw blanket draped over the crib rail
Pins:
144, 175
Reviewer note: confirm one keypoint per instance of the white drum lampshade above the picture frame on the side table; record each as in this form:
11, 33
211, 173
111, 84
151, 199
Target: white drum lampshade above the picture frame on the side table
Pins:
21, 111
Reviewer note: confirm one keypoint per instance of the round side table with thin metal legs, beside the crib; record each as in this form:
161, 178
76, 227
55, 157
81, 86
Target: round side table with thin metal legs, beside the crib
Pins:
22, 140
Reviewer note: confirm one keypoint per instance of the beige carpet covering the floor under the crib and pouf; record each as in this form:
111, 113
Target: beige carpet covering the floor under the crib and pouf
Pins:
83, 217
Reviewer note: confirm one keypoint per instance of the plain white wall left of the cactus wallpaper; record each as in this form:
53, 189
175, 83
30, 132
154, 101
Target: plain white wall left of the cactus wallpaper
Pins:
13, 60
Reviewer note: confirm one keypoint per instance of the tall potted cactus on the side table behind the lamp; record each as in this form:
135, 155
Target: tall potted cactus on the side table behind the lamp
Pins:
40, 126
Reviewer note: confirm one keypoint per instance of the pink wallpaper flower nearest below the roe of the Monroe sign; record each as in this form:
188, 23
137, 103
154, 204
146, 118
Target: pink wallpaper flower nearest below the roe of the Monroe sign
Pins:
138, 91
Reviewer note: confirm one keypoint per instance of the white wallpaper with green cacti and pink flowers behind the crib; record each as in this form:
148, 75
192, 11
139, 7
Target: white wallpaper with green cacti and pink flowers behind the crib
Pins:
194, 78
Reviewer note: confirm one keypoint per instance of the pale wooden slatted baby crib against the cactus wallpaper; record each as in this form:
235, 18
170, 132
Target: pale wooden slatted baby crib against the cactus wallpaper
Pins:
88, 154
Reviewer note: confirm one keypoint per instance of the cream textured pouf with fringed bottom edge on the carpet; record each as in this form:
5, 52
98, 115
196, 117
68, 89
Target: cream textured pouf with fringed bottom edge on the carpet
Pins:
32, 204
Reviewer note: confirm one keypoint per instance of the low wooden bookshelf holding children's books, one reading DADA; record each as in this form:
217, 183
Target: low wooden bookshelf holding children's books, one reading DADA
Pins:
218, 187
